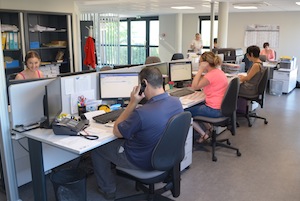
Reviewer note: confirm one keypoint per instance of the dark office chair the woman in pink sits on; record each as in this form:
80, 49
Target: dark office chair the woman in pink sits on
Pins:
228, 109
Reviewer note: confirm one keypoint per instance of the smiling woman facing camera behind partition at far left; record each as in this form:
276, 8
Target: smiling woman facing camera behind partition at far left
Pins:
32, 62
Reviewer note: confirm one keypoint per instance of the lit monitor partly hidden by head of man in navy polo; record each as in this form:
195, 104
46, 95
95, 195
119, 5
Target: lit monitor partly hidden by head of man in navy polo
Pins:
117, 85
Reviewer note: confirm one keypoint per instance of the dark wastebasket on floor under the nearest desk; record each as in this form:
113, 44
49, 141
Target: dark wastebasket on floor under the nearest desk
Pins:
69, 185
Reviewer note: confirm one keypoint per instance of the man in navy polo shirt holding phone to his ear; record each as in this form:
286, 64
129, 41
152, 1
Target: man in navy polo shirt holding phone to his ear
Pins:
138, 130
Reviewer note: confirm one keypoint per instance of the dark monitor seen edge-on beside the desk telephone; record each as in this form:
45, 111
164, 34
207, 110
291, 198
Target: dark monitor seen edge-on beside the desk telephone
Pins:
52, 102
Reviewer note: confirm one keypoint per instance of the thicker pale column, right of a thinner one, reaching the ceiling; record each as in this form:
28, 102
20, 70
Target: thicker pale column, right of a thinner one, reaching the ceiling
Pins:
223, 24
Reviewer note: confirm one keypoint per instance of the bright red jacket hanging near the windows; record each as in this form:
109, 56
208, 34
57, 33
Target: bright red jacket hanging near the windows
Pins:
89, 49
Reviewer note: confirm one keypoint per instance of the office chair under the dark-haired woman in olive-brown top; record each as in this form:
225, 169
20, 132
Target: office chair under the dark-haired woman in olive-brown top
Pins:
259, 98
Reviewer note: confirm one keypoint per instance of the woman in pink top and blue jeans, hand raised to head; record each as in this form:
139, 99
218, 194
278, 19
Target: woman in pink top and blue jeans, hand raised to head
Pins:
214, 84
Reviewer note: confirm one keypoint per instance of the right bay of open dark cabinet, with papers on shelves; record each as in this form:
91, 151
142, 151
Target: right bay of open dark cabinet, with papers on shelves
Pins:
49, 35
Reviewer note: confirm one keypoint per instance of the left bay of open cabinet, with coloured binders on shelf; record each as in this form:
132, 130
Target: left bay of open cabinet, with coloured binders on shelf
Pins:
11, 24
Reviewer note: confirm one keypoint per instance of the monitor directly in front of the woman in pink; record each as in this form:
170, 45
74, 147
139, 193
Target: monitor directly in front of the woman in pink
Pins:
179, 72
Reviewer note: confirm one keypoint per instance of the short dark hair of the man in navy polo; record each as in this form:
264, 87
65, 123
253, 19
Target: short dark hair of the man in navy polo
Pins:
152, 75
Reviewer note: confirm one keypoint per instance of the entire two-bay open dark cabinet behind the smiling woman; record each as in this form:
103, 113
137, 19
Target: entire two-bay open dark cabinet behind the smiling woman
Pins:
47, 33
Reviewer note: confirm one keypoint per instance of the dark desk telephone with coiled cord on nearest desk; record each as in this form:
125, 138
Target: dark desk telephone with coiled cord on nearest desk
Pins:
68, 127
